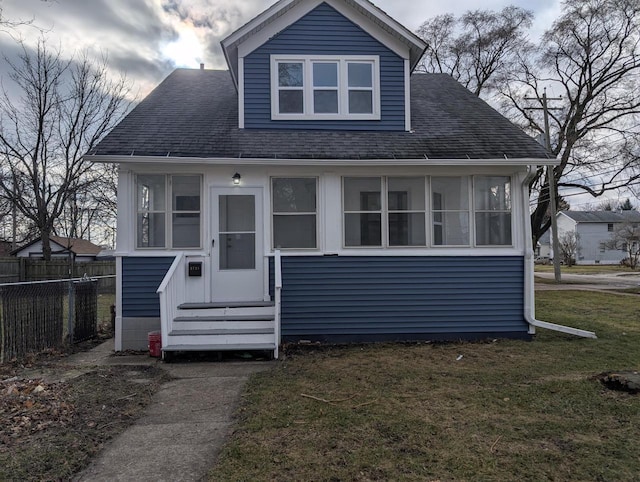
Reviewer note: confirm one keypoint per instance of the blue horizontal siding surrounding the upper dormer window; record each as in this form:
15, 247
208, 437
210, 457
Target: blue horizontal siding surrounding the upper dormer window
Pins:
323, 31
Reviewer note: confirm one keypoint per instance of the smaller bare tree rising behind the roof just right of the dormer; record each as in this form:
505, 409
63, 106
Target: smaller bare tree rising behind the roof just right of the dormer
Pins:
478, 49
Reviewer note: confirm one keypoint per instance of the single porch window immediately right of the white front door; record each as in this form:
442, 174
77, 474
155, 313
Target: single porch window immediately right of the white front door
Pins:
294, 213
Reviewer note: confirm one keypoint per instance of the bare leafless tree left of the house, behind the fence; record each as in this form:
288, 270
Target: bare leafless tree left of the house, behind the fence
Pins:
65, 107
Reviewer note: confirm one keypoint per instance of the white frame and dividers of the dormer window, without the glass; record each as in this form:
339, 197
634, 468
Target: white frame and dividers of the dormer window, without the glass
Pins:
343, 88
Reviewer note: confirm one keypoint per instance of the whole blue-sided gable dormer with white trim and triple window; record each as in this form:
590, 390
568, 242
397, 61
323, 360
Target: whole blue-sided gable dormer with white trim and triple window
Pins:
332, 64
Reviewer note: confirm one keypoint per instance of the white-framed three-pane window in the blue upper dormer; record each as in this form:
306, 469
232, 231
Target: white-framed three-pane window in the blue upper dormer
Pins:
325, 87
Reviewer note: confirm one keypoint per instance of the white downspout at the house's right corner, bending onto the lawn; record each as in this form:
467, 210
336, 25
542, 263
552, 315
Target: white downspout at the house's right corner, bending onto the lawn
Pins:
529, 283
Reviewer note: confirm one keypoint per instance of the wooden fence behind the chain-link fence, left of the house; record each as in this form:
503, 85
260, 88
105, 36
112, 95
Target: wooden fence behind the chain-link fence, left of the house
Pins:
13, 270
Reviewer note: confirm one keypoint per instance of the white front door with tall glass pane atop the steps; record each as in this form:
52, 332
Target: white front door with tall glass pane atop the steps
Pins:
236, 254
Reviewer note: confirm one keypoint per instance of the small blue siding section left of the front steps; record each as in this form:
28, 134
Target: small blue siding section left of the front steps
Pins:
141, 277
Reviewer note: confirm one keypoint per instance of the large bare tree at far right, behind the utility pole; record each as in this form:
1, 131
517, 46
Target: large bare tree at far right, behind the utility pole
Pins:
591, 56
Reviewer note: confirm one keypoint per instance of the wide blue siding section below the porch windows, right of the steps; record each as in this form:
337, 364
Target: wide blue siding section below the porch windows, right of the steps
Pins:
402, 298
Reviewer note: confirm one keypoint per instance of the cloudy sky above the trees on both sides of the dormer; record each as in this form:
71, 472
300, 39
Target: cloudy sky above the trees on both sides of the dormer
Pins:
146, 39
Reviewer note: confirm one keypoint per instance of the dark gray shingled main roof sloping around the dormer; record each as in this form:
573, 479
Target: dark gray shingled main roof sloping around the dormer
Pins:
194, 113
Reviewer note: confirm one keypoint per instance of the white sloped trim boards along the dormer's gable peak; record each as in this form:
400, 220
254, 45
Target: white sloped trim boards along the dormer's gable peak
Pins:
298, 11
